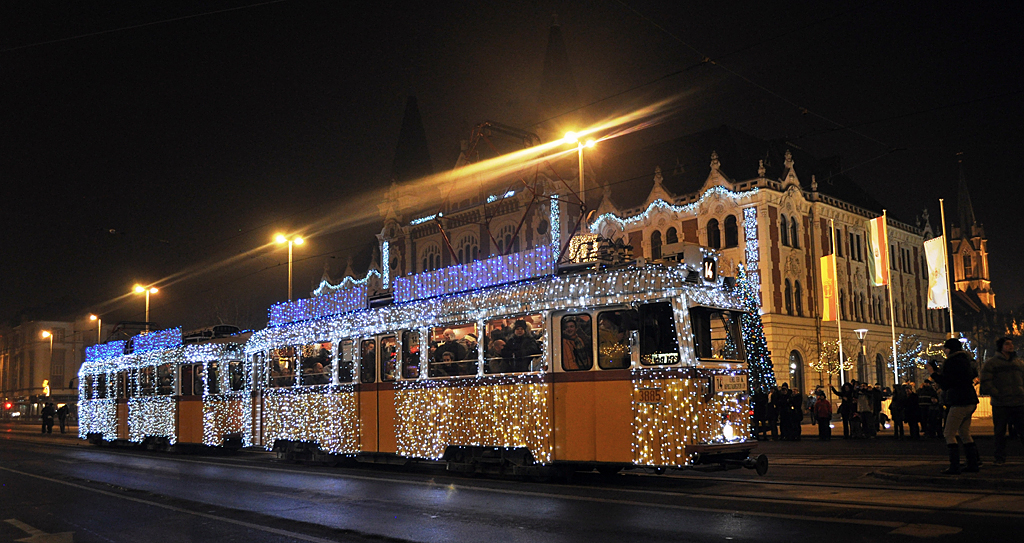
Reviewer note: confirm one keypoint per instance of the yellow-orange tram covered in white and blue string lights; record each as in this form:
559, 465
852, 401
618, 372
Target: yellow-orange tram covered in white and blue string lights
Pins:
508, 365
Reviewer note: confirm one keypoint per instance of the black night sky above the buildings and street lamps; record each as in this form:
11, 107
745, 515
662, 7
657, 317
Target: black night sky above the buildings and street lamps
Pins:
141, 140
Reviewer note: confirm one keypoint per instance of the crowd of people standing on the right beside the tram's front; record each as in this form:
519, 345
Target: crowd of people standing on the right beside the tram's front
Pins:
943, 407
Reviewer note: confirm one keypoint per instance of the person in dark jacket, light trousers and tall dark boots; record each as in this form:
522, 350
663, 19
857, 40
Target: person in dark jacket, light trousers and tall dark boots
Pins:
956, 377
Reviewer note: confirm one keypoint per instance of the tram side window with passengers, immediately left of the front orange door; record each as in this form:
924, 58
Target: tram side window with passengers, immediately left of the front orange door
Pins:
514, 345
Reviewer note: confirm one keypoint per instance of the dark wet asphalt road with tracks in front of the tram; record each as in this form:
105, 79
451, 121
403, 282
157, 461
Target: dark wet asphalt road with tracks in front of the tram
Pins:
64, 488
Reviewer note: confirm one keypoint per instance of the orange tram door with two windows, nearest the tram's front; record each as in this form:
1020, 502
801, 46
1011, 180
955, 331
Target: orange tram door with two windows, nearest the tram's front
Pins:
593, 388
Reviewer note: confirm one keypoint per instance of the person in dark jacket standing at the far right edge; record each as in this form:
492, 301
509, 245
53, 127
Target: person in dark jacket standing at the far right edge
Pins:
1003, 380
